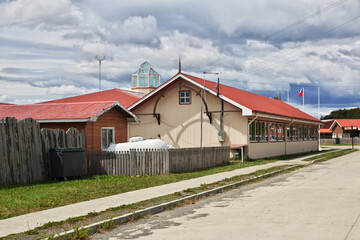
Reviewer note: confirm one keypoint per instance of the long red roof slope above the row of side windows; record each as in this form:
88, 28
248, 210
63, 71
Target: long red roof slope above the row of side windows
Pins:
255, 102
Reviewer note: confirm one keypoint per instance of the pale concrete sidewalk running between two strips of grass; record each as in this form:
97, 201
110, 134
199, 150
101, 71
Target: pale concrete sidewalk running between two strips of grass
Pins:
30, 221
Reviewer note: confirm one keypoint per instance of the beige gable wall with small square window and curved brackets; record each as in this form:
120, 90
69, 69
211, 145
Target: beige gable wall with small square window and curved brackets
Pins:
180, 124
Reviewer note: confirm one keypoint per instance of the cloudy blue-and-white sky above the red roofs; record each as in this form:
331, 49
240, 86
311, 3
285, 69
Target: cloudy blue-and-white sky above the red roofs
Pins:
269, 47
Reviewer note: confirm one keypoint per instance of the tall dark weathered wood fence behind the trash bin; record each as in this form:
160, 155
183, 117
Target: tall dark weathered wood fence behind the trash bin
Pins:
24, 149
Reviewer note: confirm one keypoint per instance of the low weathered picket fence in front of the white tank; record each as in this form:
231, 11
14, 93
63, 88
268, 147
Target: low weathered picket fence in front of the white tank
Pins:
155, 162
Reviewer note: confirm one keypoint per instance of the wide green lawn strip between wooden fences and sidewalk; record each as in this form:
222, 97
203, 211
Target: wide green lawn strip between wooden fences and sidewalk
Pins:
18, 200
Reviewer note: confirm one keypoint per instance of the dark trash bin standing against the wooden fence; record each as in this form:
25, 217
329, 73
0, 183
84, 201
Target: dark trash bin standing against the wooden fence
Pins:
67, 162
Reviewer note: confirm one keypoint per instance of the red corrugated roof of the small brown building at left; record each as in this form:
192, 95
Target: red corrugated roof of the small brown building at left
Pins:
54, 111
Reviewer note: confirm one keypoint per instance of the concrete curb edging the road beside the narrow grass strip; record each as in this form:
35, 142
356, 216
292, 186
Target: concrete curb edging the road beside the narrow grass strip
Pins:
162, 207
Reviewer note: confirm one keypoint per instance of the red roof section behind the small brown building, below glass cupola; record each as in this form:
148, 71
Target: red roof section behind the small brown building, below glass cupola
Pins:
115, 95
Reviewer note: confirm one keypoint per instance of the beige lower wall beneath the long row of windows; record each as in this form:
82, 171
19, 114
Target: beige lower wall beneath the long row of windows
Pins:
272, 149
